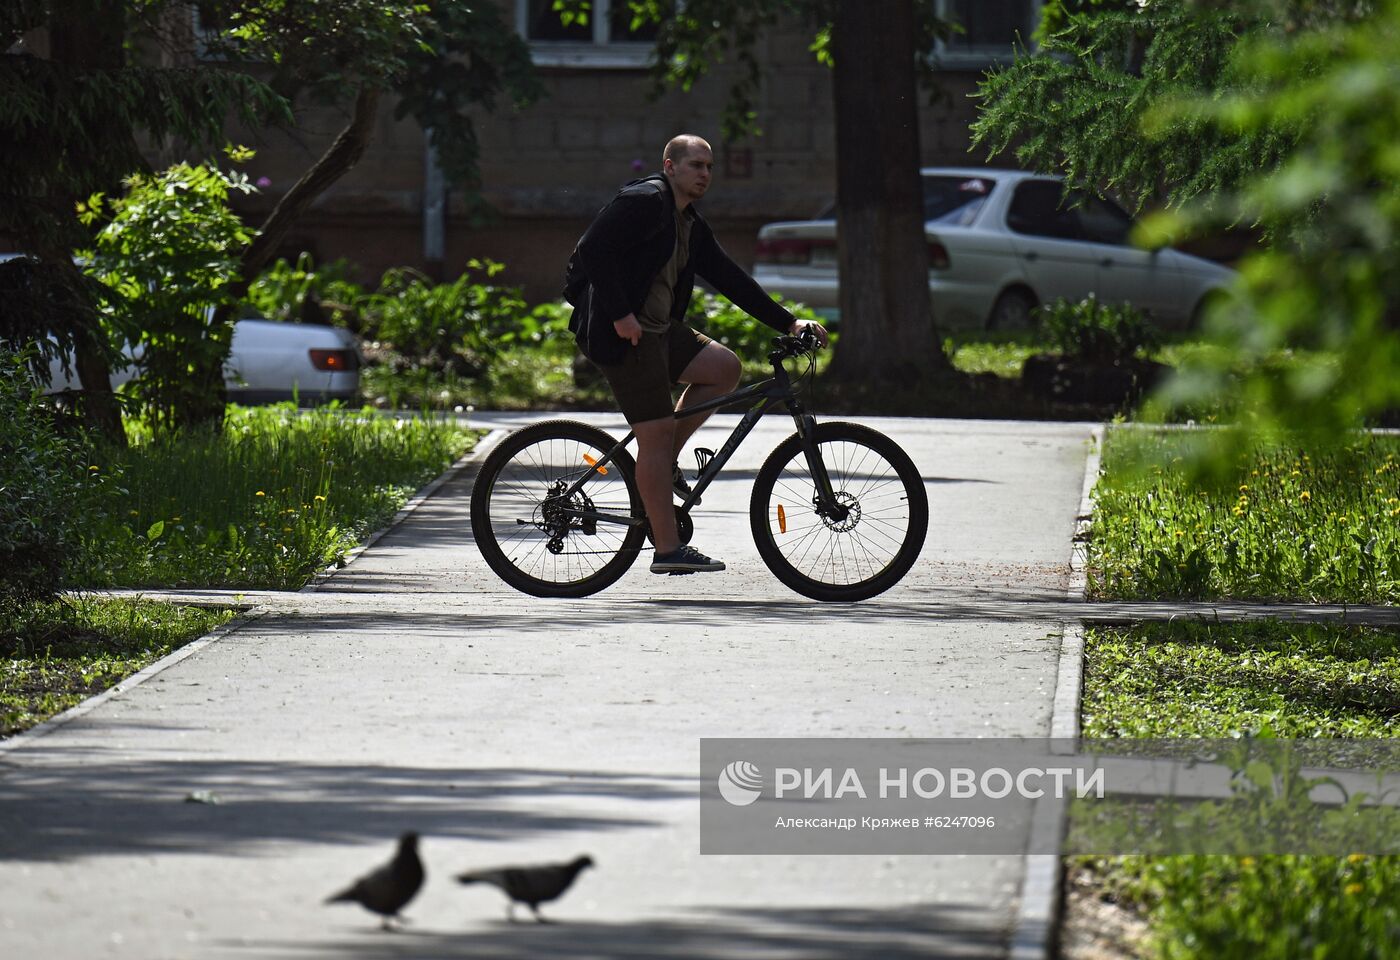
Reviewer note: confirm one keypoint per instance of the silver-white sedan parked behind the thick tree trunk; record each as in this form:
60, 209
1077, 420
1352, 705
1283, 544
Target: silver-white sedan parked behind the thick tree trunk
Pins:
1000, 244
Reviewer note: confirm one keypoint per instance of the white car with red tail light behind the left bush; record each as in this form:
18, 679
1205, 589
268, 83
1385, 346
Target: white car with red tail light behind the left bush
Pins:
269, 362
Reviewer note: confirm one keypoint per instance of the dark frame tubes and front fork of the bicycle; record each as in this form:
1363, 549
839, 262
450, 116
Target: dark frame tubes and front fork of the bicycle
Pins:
766, 397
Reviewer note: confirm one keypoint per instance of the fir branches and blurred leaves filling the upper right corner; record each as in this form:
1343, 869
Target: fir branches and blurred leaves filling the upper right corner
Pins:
1277, 113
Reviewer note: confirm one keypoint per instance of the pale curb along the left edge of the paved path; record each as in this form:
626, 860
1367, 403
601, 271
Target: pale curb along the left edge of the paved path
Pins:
247, 614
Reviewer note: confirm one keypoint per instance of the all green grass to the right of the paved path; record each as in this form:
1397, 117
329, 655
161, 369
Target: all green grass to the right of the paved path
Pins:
1308, 525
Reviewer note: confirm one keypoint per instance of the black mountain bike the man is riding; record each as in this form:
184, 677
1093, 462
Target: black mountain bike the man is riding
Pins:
838, 511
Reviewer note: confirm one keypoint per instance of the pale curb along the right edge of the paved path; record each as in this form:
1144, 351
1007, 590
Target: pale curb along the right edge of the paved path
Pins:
1038, 913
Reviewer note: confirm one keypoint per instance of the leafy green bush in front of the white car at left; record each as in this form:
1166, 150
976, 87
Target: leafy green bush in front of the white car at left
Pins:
170, 251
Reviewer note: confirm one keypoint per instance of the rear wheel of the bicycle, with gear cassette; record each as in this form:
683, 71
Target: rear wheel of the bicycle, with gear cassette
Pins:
512, 511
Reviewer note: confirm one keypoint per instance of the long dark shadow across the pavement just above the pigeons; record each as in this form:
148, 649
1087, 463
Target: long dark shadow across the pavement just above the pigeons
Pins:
66, 810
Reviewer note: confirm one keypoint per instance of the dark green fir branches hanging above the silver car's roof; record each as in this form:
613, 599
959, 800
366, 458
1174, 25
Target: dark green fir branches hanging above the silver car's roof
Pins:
1081, 104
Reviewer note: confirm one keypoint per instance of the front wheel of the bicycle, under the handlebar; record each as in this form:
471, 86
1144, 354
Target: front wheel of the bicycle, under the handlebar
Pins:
862, 555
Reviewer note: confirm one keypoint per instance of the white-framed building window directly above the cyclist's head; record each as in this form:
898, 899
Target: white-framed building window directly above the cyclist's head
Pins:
608, 38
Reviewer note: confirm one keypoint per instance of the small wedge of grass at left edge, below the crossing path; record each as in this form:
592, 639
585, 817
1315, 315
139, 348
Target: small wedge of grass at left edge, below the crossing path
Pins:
57, 654
